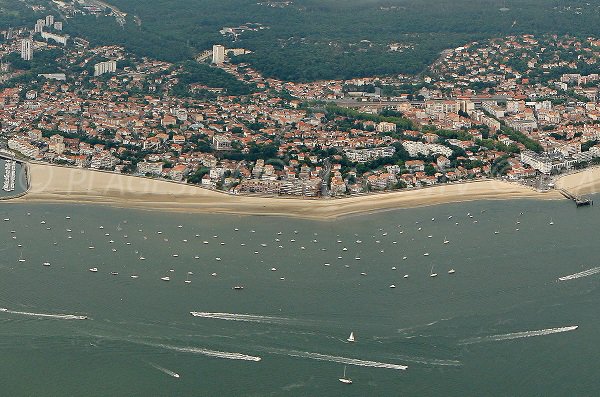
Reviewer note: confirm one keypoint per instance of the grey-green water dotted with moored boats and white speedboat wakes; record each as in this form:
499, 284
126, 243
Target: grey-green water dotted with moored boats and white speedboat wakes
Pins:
443, 328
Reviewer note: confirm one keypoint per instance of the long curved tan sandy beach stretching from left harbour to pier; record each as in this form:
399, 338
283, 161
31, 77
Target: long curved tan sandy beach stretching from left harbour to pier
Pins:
52, 184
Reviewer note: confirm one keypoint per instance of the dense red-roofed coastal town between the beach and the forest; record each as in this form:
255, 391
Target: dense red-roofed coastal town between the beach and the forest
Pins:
517, 108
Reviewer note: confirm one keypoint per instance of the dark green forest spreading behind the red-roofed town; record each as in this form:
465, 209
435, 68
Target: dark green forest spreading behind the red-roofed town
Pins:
326, 39
